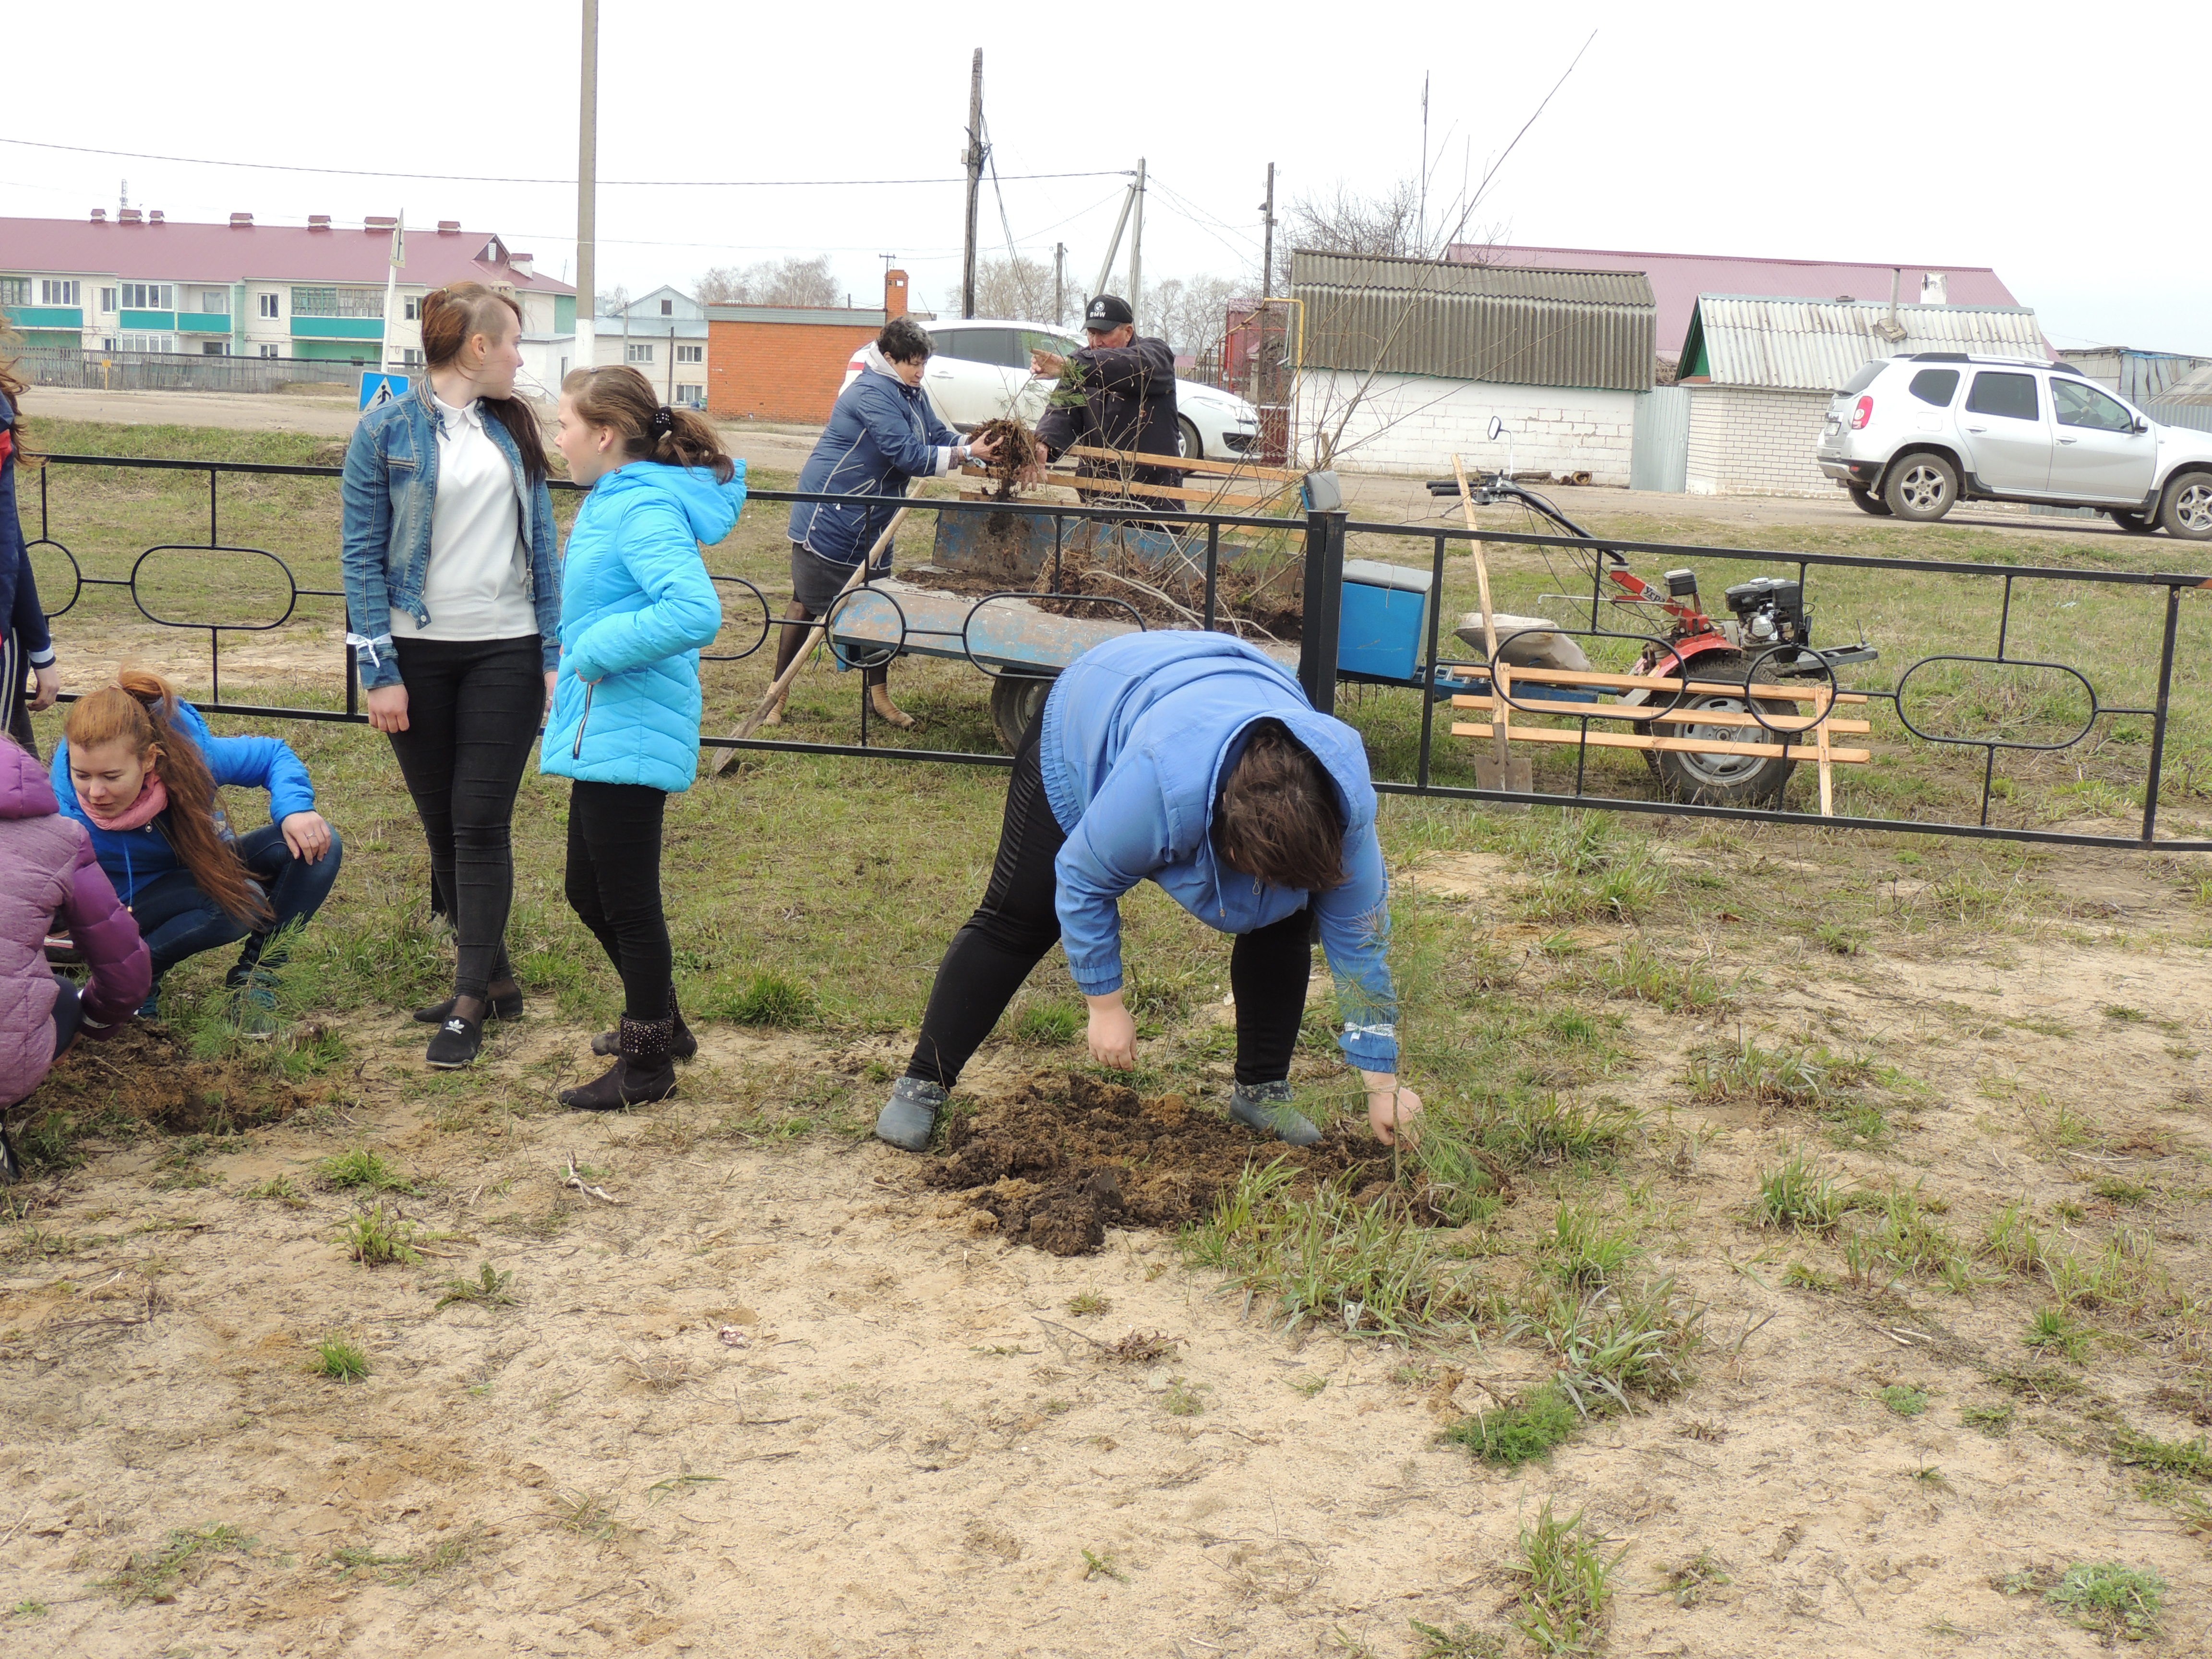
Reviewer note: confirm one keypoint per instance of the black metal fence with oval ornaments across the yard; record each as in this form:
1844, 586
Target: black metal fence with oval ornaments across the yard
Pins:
1324, 536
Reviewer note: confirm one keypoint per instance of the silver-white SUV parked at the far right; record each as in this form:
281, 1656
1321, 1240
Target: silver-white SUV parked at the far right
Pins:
1914, 435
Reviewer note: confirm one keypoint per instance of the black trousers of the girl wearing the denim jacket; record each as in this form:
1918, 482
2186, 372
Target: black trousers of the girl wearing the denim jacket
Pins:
472, 720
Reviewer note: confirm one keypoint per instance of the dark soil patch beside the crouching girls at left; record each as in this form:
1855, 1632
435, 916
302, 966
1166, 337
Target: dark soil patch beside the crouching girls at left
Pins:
145, 1074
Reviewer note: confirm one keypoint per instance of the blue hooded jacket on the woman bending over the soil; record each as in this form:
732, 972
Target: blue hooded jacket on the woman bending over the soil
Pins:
1138, 740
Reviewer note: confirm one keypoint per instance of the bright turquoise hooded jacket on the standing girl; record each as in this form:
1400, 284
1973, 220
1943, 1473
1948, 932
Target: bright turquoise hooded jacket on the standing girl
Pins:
636, 607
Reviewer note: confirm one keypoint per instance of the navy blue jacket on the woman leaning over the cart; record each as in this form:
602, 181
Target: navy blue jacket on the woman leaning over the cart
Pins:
881, 435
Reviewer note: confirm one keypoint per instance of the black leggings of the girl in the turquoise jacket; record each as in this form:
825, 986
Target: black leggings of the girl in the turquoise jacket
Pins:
616, 888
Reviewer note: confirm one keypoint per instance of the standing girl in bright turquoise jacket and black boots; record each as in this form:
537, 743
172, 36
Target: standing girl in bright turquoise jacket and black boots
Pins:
636, 609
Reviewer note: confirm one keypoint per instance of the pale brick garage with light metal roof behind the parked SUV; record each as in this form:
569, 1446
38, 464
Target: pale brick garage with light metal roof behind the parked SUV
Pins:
1760, 375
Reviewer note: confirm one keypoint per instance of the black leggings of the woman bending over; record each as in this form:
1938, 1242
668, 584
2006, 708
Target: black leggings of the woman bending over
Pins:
1019, 924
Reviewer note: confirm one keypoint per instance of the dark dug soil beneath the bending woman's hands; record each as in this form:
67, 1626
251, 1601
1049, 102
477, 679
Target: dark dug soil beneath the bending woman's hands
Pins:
1070, 1156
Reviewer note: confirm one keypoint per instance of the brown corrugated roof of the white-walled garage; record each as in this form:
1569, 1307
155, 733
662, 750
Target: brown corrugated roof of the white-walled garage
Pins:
1516, 326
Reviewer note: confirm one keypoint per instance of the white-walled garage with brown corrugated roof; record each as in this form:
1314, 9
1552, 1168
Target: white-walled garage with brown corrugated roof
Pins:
1404, 364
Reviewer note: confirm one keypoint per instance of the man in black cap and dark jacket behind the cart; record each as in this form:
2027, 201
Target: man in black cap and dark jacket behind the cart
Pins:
1114, 395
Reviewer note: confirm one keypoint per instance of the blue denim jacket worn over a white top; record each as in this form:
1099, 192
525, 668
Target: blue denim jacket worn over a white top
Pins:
390, 488
